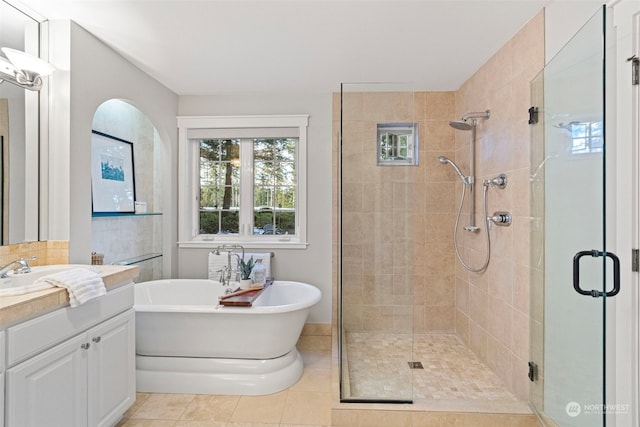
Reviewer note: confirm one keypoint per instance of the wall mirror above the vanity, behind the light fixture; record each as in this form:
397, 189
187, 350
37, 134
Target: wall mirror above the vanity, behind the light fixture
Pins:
19, 132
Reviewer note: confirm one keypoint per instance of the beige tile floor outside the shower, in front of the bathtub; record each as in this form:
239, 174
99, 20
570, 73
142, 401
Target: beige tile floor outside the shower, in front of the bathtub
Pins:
307, 403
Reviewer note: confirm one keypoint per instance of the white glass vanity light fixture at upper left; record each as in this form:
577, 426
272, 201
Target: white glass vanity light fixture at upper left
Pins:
22, 69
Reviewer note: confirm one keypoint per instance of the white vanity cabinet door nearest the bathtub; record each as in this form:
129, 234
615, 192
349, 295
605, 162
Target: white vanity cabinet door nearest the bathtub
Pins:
111, 369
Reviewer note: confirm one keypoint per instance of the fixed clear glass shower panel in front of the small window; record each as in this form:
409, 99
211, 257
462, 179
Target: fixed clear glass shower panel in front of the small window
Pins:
378, 162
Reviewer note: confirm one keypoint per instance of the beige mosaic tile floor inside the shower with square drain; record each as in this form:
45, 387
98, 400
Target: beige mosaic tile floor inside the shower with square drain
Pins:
379, 368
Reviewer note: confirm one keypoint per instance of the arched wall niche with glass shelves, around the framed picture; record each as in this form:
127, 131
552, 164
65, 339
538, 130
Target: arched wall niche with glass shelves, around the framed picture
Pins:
132, 239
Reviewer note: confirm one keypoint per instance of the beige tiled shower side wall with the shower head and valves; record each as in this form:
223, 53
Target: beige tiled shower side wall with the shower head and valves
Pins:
492, 308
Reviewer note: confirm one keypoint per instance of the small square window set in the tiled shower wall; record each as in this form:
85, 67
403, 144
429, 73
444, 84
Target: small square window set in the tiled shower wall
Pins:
397, 144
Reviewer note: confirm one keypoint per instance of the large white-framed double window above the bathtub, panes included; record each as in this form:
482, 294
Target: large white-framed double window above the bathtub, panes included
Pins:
244, 179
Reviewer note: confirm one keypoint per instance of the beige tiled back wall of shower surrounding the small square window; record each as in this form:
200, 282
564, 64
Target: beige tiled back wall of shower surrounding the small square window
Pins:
398, 264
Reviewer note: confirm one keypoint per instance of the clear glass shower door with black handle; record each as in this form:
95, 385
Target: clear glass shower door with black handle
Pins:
573, 274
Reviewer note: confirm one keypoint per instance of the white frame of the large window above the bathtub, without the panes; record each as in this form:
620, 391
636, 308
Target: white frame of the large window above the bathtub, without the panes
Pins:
189, 183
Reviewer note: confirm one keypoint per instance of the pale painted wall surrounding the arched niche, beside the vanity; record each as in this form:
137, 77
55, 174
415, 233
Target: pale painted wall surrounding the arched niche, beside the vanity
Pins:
72, 106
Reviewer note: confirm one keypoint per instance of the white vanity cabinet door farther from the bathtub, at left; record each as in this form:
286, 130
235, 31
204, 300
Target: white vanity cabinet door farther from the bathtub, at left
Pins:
50, 389
